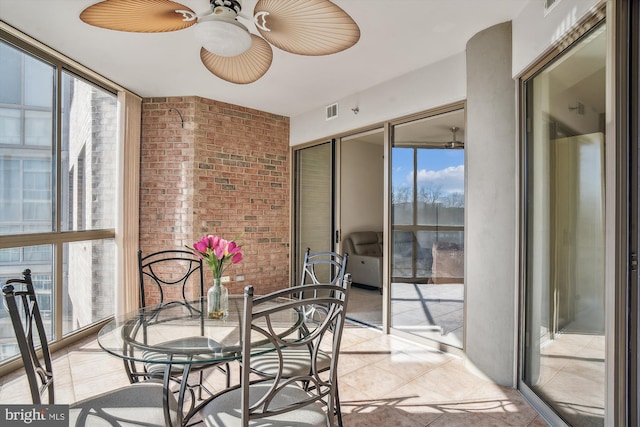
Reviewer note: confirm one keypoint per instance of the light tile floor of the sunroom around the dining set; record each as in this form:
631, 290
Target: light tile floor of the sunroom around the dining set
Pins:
384, 381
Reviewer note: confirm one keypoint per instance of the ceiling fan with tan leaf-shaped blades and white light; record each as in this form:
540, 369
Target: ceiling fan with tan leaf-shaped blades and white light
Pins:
229, 50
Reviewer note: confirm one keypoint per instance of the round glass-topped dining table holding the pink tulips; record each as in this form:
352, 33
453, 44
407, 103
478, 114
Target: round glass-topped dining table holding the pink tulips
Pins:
178, 335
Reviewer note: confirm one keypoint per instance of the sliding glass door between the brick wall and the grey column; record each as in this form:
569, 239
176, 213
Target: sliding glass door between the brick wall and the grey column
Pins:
339, 192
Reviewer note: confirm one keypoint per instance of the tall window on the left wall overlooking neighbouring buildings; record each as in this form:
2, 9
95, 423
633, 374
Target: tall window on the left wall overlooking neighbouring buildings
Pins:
58, 166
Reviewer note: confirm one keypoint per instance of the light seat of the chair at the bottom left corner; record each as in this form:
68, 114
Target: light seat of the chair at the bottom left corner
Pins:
135, 405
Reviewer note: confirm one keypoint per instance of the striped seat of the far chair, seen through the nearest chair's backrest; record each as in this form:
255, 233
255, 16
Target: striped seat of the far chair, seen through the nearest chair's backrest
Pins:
297, 361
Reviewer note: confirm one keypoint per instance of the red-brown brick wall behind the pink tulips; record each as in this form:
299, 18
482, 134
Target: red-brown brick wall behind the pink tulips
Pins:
225, 172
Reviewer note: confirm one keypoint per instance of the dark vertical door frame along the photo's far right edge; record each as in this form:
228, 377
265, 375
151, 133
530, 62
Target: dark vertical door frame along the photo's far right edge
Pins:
625, 370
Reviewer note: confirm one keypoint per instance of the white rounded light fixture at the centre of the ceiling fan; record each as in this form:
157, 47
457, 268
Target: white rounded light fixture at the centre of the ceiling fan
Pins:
221, 34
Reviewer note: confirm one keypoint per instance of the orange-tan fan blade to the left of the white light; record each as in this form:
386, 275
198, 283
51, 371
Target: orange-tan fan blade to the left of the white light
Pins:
140, 16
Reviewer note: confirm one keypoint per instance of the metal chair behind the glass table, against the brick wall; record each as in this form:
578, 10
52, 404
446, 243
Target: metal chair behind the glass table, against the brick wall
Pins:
173, 277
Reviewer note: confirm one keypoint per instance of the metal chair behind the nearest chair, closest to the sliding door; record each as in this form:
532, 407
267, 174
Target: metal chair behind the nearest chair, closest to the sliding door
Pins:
320, 268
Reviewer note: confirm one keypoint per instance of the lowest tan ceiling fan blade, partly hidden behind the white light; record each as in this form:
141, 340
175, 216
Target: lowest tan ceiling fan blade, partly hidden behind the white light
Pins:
244, 68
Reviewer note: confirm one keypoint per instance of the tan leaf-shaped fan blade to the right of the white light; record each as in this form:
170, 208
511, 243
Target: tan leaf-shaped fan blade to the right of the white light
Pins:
312, 27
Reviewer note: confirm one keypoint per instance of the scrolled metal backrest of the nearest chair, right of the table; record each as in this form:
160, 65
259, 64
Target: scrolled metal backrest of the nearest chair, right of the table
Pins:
260, 323
